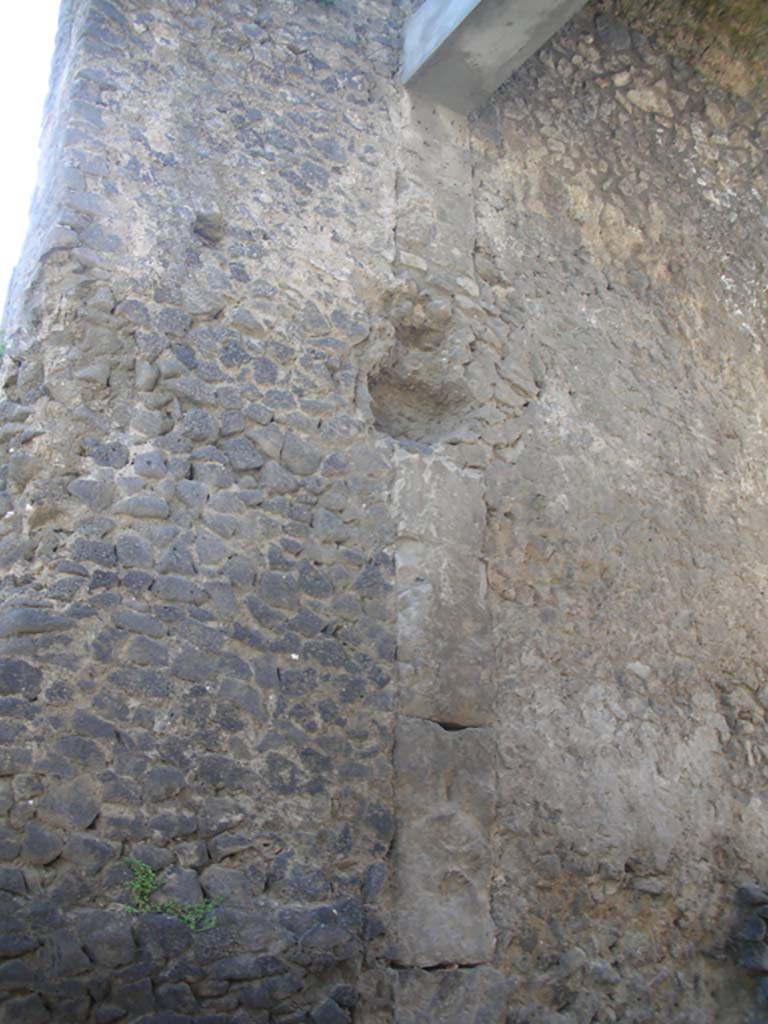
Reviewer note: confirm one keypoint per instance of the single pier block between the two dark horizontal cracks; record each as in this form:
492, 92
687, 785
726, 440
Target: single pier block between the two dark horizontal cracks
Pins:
446, 796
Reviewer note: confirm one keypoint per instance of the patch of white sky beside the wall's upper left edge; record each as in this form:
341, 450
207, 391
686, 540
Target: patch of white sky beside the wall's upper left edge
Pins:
29, 30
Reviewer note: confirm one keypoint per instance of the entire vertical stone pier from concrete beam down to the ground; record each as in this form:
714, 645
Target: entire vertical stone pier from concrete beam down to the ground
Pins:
445, 757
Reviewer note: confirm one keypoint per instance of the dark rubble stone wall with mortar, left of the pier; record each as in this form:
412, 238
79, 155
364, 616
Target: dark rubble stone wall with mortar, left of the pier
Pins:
197, 616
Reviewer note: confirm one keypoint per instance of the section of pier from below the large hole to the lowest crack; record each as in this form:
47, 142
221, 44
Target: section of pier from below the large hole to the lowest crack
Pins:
445, 757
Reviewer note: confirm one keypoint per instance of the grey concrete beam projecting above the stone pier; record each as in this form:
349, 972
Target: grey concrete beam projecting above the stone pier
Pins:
458, 53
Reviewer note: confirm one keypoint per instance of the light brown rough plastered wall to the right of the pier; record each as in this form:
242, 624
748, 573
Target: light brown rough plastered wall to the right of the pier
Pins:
626, 202
